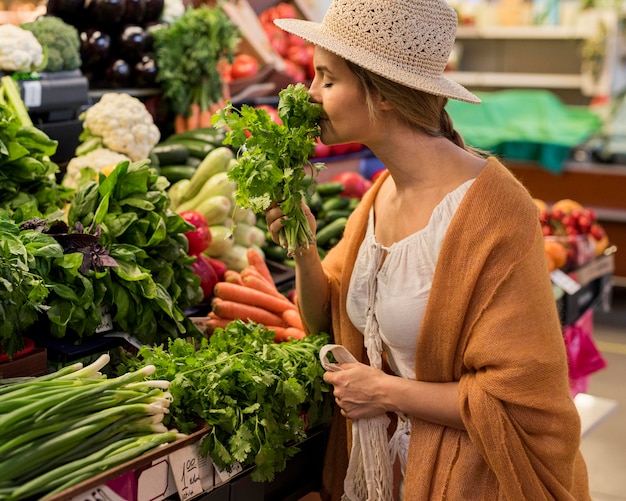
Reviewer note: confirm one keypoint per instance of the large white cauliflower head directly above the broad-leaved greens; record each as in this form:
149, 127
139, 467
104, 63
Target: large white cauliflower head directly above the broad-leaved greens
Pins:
123, 124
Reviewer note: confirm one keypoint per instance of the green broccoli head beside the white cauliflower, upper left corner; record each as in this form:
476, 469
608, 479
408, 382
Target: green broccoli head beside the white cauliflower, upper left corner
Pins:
61, 42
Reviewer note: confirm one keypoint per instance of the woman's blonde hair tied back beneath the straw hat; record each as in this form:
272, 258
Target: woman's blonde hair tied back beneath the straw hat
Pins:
422, 111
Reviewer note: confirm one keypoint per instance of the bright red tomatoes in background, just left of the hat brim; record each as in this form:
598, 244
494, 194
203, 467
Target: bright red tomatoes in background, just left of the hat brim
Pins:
296, 52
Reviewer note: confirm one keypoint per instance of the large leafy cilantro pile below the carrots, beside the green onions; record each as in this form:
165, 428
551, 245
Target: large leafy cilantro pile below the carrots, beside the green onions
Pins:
258, 396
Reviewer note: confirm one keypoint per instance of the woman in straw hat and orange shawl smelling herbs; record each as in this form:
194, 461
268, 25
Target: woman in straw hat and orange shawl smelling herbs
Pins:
439, 286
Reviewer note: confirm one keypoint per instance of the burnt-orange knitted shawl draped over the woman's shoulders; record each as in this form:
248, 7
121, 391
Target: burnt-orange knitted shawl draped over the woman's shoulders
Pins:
491, 323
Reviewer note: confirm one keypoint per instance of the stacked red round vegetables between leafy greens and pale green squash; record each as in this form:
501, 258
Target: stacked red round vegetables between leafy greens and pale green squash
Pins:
210, 270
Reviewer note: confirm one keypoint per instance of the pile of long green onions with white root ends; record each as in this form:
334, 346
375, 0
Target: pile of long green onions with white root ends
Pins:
68, 426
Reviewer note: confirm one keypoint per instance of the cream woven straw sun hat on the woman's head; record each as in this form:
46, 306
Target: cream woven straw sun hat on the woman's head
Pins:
407, 41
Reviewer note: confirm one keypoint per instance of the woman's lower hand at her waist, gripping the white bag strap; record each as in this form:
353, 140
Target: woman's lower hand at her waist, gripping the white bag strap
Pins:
358, 390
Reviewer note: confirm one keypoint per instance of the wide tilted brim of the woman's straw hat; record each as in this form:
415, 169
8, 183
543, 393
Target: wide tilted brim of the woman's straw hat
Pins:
438, 85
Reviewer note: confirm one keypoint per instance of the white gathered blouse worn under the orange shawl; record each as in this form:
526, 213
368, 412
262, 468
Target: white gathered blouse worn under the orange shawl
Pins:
389, 287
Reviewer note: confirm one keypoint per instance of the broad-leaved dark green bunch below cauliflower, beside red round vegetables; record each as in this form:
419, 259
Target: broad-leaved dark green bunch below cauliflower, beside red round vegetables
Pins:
153, 282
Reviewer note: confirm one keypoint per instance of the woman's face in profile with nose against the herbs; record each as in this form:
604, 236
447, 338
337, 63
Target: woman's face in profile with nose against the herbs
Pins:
346, 117
